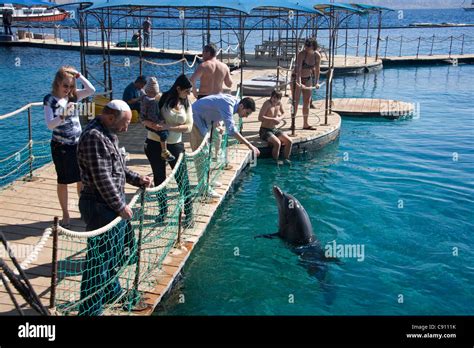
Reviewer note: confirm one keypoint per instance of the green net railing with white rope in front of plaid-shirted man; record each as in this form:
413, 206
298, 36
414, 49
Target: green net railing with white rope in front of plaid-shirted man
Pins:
106, 271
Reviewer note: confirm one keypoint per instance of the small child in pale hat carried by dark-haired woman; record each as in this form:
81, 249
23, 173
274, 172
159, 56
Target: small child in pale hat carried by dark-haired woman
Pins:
150, 110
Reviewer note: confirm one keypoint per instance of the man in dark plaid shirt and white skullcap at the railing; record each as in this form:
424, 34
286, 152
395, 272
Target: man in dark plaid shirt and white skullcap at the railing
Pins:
103, 174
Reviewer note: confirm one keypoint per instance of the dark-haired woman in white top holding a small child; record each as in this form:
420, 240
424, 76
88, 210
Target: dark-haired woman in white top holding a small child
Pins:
176, 110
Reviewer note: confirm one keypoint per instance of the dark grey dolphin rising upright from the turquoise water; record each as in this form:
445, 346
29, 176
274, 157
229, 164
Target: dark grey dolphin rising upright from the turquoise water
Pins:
295, 228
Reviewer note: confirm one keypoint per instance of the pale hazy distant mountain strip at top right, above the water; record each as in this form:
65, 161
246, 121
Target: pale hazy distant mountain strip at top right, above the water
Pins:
412, 4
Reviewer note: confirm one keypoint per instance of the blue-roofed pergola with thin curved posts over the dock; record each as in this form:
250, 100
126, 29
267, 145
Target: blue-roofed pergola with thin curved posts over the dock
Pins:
294, 16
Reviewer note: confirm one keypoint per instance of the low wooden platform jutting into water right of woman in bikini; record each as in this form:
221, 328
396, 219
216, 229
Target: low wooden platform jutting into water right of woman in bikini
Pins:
366, 107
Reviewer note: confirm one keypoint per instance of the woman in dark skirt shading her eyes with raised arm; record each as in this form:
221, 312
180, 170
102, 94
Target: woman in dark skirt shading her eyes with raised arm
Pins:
62, 117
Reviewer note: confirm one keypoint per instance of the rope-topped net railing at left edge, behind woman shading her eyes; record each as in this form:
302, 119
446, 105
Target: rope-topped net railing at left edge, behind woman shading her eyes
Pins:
21, 154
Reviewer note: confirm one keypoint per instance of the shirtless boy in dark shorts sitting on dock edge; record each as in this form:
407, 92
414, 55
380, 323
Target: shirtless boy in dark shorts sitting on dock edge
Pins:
271, 114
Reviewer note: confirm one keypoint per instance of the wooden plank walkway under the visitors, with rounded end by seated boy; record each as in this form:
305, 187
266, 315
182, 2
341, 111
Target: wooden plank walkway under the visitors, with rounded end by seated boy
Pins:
27, 208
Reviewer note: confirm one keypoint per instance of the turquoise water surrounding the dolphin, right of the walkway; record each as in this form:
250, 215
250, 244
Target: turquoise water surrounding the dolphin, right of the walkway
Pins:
393, 186
